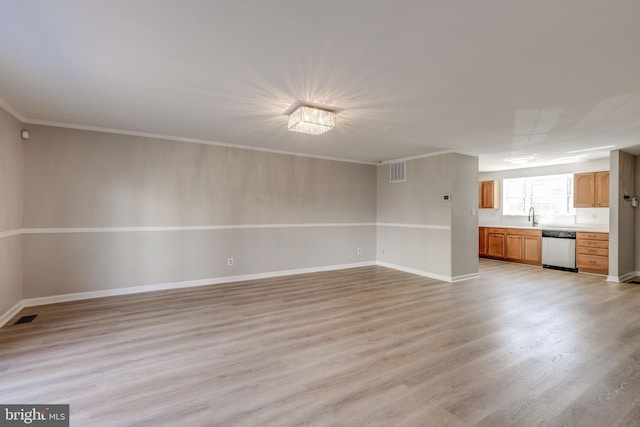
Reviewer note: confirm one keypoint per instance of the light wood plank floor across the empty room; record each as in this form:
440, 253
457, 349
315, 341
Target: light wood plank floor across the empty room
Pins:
368, 346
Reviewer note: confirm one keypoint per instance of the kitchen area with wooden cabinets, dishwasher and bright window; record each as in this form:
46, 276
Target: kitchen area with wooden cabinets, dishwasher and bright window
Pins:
557, 220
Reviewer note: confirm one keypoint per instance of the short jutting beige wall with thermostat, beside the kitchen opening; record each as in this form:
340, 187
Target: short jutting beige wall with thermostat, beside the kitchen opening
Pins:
420, 231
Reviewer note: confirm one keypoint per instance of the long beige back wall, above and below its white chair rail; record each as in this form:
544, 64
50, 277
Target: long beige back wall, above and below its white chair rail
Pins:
76, 179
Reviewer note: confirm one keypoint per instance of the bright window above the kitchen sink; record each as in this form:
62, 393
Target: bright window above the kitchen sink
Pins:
549, 195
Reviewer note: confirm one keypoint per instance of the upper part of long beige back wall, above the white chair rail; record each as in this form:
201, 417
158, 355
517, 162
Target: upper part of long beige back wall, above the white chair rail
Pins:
89, 179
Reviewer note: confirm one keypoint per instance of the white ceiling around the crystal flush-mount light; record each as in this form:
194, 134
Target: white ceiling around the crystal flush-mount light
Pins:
498, 79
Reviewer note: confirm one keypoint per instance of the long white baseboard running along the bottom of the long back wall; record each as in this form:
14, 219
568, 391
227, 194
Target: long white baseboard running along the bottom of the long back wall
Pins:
54, 299
